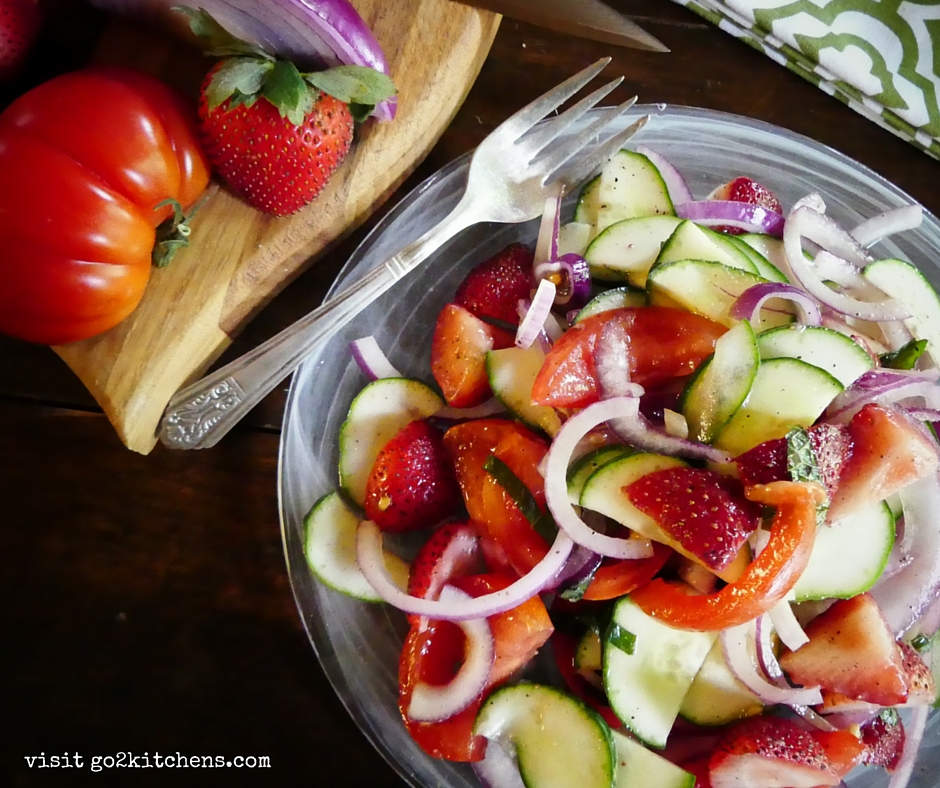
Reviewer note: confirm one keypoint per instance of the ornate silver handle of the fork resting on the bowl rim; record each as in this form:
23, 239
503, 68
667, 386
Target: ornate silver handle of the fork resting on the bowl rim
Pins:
199, 415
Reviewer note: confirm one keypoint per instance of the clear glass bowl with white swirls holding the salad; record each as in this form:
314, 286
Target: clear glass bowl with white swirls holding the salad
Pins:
358, 643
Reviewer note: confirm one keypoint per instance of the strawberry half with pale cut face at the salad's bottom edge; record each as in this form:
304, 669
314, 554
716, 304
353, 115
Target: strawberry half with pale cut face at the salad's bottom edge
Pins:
762, 751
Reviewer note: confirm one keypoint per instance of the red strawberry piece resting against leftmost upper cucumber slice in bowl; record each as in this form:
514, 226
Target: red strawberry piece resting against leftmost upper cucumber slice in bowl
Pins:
412, 483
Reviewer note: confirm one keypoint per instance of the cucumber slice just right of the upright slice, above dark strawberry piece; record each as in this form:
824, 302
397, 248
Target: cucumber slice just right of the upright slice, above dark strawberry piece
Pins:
786, 393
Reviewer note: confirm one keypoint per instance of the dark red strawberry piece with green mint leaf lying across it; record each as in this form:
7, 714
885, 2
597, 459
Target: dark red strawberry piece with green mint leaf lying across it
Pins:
767, 462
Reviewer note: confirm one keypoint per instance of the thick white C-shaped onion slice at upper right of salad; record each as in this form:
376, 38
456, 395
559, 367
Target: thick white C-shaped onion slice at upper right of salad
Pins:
806, 223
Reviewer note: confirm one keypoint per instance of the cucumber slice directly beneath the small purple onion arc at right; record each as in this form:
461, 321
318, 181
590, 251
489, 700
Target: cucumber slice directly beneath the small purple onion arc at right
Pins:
838, 354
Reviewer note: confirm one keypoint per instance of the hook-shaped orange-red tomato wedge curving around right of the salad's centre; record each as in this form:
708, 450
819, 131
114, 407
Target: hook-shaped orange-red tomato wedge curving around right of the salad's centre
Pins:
767, 579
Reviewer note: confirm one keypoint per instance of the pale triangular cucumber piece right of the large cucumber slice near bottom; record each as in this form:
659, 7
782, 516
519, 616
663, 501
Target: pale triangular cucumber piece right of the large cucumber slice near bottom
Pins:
716, 697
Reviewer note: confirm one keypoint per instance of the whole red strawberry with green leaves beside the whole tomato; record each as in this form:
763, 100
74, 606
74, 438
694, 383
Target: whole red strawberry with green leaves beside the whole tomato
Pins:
274, 134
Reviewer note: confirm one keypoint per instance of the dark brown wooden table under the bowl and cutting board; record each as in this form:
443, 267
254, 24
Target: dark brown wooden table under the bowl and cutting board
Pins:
146, 602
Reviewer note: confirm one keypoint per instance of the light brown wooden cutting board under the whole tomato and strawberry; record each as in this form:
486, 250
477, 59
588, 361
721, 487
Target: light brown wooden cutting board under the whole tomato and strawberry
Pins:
240, 258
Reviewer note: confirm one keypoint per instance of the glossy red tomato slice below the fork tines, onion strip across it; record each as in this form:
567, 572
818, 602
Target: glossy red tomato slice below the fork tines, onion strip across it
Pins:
665, 343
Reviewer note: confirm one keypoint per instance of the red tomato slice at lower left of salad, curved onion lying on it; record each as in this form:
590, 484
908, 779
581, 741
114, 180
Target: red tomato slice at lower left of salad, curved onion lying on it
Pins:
435, 654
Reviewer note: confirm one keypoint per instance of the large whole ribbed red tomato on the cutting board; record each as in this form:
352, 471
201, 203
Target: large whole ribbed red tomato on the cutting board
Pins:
85, 158
